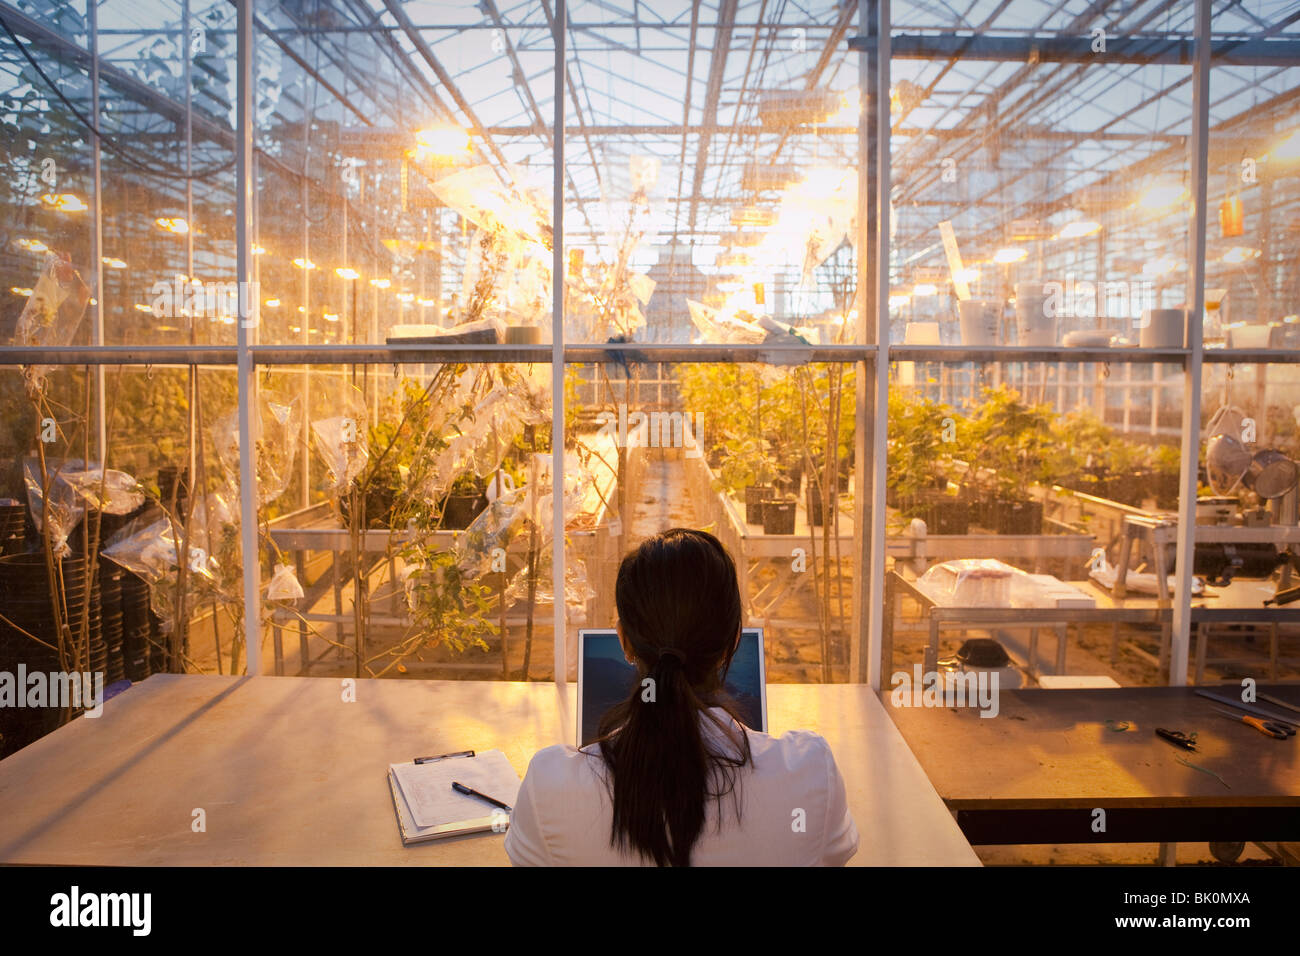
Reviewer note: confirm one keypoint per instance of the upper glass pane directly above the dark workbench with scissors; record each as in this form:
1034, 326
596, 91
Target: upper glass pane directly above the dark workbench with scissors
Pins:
1038, 201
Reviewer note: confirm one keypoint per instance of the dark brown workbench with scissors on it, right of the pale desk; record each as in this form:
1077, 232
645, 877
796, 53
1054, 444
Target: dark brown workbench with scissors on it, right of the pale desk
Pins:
1039, 771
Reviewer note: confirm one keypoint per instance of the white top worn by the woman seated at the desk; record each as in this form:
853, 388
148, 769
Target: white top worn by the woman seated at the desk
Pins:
795, 811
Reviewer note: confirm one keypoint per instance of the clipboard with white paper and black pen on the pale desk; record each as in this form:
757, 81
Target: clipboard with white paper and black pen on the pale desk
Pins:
430, 810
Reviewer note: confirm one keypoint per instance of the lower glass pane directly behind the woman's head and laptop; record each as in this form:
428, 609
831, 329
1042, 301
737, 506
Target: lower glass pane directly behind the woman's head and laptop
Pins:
740, 451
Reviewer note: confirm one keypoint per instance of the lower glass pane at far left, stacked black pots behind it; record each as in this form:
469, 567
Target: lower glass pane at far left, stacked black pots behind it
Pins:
110, 509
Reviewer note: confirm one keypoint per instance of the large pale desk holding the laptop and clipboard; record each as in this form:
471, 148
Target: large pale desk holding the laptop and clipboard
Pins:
289, 775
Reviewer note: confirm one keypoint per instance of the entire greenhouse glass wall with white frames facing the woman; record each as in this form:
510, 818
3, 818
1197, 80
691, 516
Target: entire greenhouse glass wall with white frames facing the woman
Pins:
362, 339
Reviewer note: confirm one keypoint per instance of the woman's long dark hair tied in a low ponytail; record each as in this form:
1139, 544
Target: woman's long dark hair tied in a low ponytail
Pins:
681, 613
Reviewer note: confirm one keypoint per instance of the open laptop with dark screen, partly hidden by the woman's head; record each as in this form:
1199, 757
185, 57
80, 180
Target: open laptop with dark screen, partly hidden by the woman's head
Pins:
605, 678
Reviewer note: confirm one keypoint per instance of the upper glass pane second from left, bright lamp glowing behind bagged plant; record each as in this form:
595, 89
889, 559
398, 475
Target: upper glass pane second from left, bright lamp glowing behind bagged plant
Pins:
405, 175
